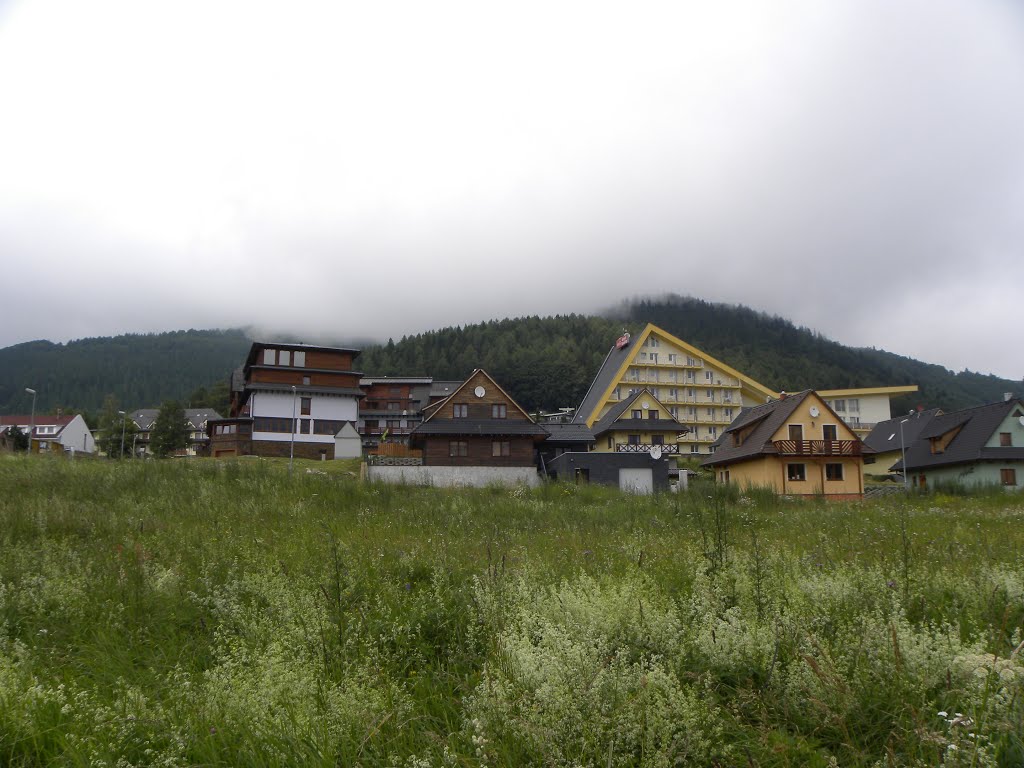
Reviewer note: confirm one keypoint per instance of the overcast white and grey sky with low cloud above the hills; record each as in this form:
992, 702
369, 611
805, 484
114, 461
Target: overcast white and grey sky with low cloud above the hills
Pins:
354, 170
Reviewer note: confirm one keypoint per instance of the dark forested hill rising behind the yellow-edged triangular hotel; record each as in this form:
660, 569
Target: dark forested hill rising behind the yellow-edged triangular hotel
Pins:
550, 362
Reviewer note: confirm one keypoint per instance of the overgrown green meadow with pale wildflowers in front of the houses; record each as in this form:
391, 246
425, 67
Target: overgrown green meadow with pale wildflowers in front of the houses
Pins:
190, 613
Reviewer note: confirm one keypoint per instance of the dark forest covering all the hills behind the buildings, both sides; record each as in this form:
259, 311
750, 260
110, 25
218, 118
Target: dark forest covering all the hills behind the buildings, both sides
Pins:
544, 363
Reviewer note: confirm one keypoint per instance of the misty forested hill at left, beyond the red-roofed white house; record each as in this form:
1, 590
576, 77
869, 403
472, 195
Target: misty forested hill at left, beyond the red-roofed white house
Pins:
141, 370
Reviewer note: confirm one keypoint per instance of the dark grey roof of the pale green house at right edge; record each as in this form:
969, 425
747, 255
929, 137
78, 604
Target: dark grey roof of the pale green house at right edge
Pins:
977, 426
